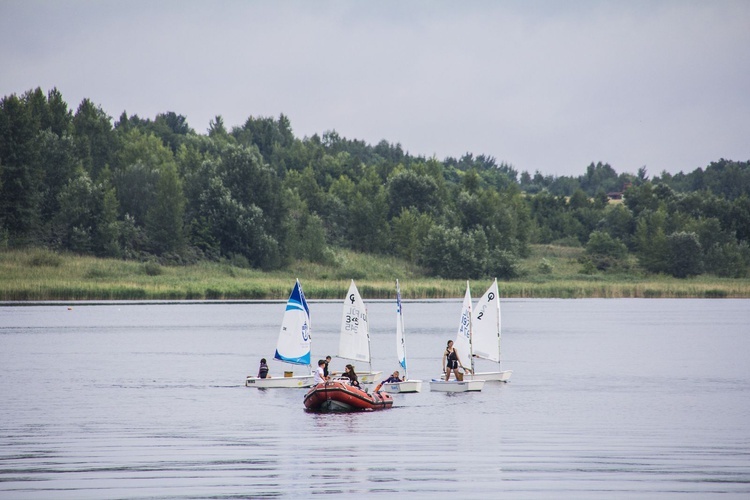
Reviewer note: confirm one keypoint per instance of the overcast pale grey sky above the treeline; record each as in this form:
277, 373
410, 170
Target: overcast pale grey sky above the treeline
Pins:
542, 85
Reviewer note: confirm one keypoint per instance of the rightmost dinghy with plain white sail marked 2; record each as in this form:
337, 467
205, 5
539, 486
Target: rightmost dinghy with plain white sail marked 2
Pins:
486, 334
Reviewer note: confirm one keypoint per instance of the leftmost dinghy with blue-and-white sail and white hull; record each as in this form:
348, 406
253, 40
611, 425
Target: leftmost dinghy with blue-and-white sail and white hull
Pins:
293, 345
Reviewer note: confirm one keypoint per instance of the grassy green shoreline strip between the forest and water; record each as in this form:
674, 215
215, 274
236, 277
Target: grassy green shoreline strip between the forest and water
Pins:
39, 275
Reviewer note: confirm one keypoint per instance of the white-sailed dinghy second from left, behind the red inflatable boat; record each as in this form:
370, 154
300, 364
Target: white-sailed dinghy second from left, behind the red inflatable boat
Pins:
354, 340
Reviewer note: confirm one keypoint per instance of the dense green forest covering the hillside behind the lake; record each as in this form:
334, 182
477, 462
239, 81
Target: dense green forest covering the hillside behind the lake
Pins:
259, 197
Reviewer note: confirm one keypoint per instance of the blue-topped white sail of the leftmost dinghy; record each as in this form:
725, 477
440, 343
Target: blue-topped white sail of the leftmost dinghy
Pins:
294, 338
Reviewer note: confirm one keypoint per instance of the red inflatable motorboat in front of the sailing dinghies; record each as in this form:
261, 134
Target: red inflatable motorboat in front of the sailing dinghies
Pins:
340, 396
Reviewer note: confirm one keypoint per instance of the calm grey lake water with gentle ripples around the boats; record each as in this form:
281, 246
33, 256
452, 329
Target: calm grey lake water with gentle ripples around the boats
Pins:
609, 399
